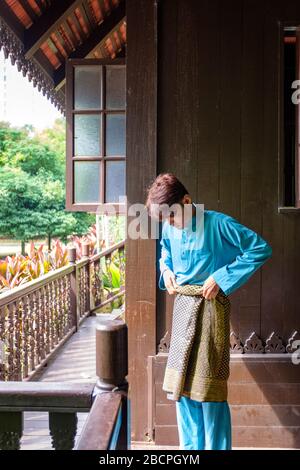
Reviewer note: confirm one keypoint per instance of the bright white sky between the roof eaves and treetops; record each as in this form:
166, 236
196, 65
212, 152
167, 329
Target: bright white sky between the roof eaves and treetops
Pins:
20, 103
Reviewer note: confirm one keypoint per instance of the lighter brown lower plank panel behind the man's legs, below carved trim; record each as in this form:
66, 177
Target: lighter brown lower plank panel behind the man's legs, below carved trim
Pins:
264, 398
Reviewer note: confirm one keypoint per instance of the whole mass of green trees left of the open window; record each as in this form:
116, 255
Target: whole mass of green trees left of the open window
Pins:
32, 185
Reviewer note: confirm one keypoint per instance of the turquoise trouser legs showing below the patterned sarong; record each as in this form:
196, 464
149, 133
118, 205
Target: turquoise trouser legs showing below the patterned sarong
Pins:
203, 425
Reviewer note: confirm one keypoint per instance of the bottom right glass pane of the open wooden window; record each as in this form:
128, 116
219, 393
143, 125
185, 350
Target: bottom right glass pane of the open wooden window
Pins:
115, 181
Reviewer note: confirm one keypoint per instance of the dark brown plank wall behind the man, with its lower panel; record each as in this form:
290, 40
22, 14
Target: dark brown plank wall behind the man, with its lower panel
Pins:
217, 125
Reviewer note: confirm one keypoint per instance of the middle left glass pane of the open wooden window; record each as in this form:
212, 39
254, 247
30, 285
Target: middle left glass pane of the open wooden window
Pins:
87, 135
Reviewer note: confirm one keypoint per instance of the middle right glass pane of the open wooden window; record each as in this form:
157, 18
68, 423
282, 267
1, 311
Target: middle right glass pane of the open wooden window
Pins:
115, 134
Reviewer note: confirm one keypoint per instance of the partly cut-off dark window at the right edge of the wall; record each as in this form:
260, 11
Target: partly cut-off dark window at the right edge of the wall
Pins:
291, 118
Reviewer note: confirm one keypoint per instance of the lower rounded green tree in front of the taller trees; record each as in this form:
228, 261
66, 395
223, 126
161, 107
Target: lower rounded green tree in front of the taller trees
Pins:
33, 207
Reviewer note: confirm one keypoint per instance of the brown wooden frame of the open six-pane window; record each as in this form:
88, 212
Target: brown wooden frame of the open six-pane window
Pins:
99, 207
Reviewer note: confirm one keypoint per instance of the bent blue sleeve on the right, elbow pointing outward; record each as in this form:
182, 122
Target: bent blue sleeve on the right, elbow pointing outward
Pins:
254, 252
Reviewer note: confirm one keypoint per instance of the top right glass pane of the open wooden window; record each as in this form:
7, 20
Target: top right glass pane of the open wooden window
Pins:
115, 87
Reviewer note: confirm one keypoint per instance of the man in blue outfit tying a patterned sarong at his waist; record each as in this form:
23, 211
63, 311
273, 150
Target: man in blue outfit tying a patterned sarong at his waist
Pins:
204, 258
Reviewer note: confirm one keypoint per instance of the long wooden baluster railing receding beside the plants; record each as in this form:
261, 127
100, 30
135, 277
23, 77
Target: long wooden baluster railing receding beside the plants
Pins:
38, 317
